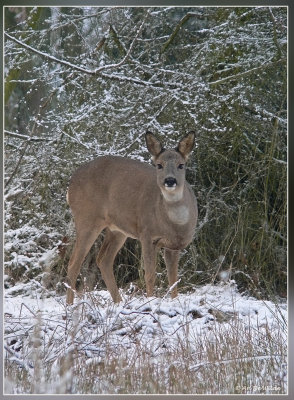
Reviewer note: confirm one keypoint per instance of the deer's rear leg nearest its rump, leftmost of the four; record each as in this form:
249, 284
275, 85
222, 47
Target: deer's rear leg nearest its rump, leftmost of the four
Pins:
84, 242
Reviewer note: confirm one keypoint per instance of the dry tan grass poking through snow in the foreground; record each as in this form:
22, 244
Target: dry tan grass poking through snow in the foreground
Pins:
232, 356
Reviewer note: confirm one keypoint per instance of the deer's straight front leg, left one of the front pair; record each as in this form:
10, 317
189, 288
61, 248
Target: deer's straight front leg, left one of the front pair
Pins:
149, 260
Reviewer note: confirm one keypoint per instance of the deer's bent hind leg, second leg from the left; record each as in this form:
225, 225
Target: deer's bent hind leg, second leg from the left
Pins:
112, 243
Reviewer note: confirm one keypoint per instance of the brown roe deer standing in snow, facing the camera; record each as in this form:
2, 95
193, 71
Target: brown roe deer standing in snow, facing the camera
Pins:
129, 198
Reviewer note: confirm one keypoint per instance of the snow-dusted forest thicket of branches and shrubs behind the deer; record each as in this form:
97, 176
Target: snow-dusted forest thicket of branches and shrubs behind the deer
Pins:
82, 82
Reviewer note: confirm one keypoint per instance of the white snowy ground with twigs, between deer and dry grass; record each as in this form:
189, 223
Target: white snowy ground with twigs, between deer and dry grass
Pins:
94, 325
